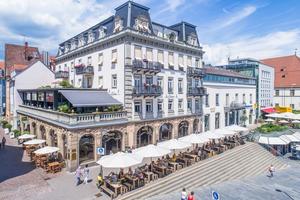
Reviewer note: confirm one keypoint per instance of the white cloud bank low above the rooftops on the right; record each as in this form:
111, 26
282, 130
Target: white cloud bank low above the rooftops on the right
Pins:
270, 45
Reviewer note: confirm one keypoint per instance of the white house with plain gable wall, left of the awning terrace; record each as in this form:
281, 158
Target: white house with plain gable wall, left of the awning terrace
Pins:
34, 76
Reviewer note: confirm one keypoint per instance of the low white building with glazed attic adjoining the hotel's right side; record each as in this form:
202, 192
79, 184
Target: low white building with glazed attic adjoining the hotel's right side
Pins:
230, 95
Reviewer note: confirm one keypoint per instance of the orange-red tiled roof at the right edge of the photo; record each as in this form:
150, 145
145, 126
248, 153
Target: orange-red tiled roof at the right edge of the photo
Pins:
287, 70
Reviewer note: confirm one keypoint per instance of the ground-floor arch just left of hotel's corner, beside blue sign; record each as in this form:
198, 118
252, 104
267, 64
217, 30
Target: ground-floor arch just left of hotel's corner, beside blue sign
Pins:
112, 142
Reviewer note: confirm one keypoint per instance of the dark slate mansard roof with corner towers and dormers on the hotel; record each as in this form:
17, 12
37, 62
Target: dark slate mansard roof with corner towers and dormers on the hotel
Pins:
128, 16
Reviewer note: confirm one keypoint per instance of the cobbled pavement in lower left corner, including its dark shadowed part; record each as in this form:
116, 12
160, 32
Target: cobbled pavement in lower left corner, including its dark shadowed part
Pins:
20, 180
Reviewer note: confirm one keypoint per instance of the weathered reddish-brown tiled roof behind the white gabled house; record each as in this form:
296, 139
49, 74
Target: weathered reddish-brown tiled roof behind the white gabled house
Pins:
18, 57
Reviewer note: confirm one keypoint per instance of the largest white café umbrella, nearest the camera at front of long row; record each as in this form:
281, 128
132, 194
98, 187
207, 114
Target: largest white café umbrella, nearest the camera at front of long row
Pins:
120, 160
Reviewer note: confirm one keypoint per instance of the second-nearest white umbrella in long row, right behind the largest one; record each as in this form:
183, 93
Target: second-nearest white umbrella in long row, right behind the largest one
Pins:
151, 151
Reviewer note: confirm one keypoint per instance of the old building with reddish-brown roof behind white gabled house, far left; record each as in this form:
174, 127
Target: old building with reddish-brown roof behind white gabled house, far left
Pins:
17, 58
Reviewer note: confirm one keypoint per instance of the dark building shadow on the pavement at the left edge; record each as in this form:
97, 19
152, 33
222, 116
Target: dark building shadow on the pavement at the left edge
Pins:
11, 164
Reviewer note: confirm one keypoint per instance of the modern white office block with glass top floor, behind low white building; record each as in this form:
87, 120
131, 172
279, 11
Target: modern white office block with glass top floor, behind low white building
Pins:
264, 76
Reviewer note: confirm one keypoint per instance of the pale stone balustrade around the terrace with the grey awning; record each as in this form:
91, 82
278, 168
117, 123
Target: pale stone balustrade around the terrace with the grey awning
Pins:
72, 119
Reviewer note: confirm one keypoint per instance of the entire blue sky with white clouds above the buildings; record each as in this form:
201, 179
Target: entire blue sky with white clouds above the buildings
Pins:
226, 28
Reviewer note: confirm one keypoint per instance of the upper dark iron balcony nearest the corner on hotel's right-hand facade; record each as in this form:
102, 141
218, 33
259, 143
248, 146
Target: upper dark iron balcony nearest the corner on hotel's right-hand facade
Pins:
146, 66
